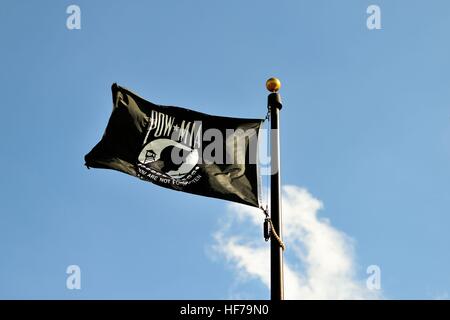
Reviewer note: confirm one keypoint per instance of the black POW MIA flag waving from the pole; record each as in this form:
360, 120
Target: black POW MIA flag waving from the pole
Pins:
180, 149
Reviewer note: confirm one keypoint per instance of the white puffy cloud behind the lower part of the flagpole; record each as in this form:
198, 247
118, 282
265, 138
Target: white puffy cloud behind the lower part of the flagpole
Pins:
319, 261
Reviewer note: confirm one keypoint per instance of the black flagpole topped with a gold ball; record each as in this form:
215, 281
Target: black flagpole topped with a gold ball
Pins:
276, 251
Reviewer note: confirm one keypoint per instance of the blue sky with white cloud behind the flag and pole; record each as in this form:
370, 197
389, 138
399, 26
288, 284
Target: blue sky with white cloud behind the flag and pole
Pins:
365, 148
